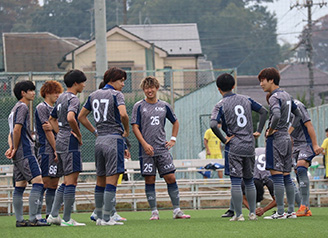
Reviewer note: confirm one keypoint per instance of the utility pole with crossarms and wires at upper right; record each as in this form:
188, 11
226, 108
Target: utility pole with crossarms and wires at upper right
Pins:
308, 41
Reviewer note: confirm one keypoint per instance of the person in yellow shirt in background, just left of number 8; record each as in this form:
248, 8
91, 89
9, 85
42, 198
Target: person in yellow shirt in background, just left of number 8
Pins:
213, 147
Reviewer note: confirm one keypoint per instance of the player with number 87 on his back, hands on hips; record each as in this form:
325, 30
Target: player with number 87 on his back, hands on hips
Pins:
112, 123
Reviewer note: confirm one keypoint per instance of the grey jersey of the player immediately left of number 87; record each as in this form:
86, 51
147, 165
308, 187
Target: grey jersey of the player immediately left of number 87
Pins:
65, 141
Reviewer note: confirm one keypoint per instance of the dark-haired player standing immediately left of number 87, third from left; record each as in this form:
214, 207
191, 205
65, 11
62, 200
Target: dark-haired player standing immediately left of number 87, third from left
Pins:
63, 120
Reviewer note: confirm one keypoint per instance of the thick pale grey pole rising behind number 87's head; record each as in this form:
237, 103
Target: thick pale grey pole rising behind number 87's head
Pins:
101, 41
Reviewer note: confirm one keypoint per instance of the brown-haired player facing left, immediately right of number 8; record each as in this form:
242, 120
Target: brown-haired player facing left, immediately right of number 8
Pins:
278, 142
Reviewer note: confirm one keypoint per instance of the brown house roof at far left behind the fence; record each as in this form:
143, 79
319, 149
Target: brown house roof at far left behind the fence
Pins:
37, 52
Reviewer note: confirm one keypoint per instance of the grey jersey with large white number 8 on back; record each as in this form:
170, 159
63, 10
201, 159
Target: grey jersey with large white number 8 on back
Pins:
235, 113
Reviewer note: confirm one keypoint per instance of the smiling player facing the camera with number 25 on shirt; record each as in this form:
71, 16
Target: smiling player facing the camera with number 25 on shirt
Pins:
148, 121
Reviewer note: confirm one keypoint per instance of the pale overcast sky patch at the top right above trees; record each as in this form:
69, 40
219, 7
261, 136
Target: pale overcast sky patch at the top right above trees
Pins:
292, 21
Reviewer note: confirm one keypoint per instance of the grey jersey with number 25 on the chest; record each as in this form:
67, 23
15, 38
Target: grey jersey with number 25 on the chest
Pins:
151, 121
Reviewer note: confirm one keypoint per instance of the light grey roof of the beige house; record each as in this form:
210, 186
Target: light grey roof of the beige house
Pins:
175, 39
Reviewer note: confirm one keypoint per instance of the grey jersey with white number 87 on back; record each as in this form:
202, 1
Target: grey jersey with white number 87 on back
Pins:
104, 105
